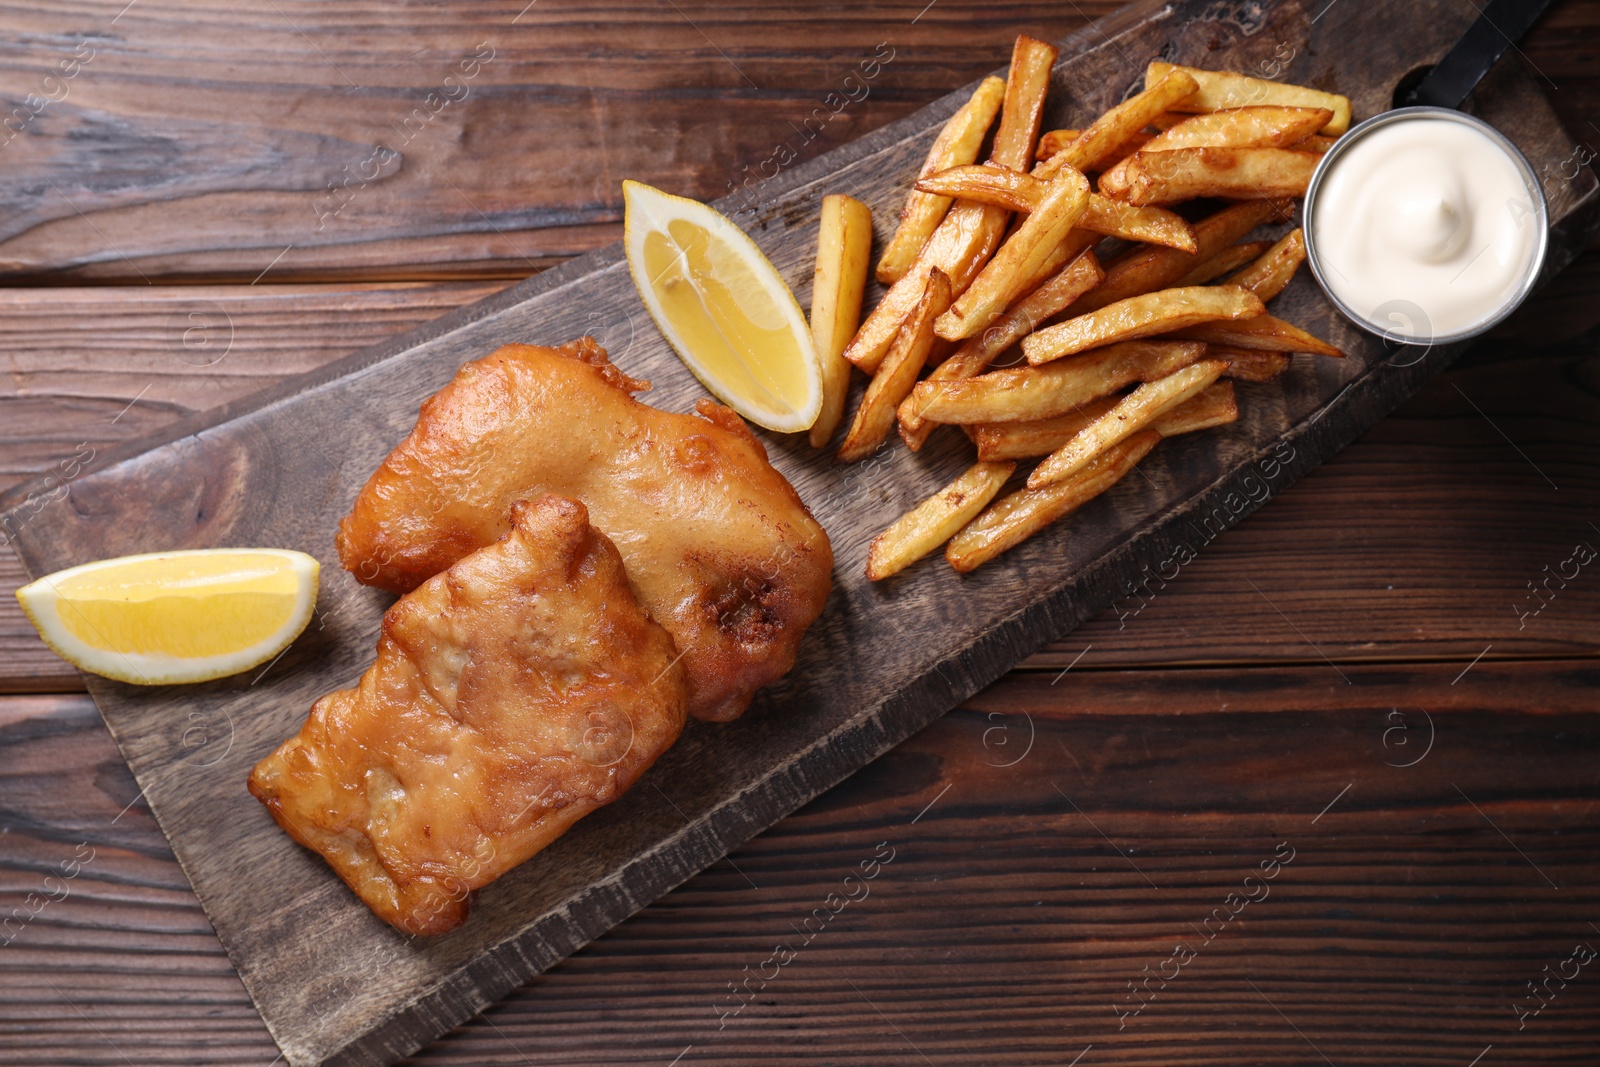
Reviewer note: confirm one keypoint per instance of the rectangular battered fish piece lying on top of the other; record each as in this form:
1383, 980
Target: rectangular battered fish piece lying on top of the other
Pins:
513, 695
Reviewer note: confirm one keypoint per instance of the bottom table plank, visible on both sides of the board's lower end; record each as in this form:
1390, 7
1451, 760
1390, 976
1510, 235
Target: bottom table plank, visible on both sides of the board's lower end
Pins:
1006, 929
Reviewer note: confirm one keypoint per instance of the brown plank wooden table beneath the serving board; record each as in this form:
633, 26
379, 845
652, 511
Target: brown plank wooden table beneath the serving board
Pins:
1353, 692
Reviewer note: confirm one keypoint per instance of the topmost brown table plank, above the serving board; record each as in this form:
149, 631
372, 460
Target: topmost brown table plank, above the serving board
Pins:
505, 172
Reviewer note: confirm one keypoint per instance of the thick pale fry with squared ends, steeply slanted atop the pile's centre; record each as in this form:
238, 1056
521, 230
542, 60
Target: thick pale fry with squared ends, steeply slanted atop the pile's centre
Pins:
1020, 260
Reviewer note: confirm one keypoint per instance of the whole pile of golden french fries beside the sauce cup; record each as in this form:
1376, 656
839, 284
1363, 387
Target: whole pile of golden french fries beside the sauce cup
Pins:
1114, 358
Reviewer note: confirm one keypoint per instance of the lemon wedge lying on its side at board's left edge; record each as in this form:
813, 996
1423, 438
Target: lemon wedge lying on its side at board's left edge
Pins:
175, 617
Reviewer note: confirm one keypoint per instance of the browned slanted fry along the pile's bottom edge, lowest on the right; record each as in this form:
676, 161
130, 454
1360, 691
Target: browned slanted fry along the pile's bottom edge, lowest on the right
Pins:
1020, 516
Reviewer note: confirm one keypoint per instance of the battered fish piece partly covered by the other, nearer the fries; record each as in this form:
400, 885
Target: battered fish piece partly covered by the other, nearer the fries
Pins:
718, 545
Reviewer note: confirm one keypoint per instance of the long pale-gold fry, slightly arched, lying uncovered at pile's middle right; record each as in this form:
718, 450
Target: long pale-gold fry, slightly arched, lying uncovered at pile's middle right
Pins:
1164, 311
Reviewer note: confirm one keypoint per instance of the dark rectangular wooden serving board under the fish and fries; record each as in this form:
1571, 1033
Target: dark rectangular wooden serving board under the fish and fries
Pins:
334, 983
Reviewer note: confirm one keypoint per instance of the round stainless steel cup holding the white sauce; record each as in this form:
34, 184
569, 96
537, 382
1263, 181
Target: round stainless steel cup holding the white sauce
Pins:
1542, 220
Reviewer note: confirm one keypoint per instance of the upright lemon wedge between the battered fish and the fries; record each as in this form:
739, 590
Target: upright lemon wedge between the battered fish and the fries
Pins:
724, 308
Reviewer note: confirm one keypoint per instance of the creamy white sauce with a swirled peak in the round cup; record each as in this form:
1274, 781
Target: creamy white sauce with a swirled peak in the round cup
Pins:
1430, 214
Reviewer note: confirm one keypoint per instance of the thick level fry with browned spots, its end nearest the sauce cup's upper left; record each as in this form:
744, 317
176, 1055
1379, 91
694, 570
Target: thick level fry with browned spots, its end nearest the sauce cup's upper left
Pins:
1234, 174
